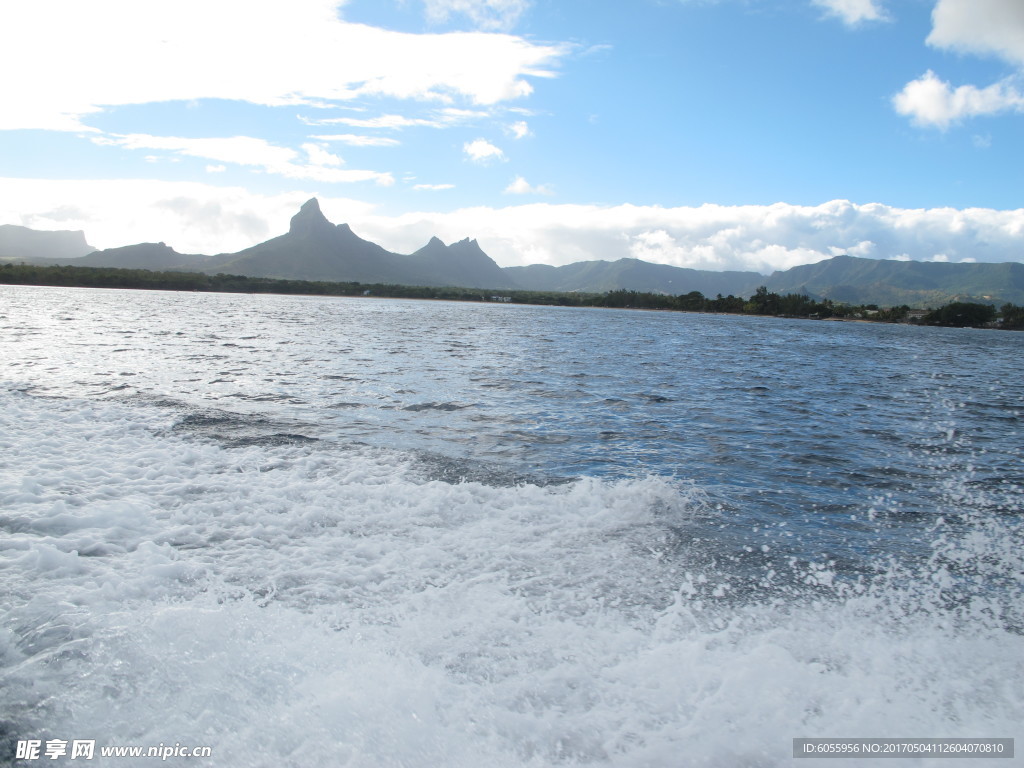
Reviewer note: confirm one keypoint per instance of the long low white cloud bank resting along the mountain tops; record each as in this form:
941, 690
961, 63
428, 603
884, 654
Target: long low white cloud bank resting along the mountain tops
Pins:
204, 219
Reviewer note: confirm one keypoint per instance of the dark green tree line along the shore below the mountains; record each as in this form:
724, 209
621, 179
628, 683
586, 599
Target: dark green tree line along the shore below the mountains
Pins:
963, 315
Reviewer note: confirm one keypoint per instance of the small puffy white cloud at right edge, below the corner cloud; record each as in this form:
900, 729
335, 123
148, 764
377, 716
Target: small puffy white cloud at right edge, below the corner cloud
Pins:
931, 102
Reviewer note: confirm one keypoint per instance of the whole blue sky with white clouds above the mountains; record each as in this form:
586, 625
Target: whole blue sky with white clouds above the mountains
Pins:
715, 135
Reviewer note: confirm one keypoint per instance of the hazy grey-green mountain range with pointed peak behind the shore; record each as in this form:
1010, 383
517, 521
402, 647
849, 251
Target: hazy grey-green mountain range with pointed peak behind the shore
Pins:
315, 249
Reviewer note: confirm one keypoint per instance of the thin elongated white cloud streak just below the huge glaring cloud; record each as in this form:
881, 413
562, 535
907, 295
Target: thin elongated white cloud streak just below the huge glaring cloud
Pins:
246, 151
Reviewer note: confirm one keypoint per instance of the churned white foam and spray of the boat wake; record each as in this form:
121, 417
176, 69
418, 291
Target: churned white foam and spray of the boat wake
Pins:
317, 605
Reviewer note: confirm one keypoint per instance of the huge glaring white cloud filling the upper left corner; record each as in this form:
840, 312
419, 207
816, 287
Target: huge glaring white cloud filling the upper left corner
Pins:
112, 53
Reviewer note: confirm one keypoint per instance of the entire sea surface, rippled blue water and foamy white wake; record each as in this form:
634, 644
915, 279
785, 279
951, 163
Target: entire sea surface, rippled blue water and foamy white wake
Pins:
379, 533
